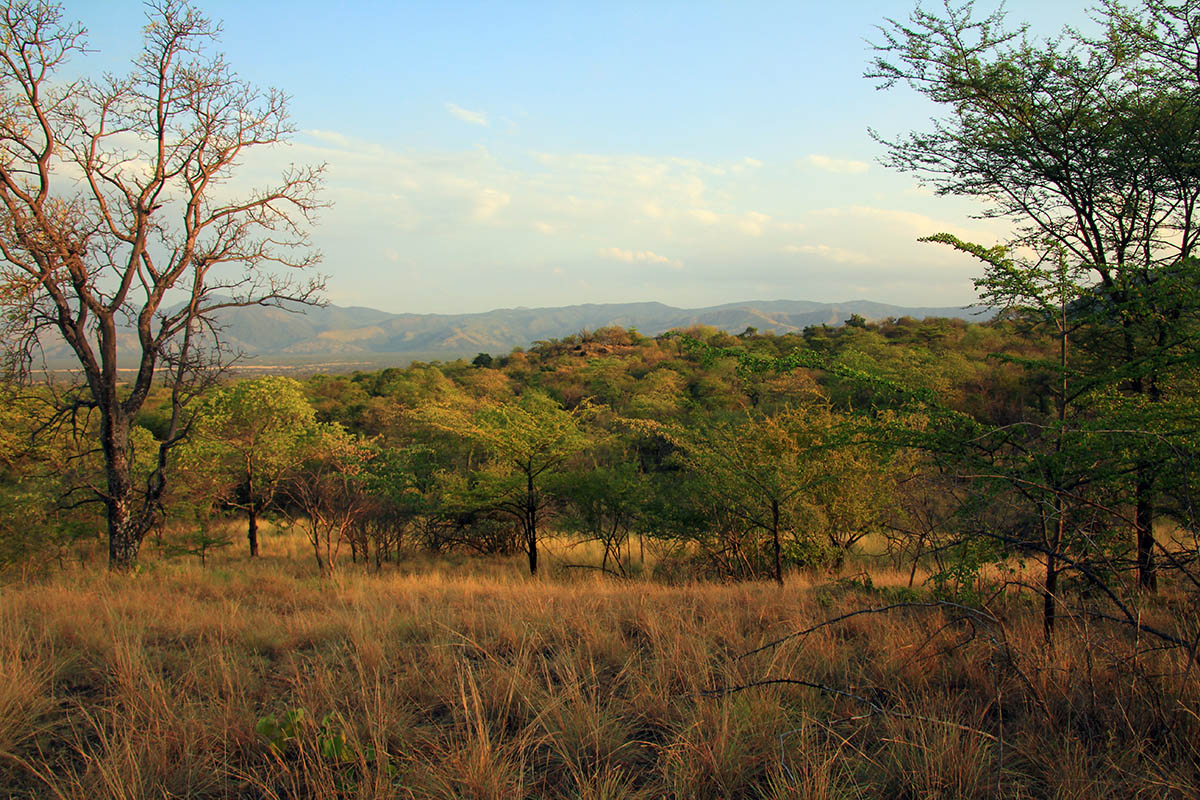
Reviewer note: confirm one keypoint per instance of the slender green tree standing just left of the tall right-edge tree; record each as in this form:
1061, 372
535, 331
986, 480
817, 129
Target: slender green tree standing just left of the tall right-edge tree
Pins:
1051, 458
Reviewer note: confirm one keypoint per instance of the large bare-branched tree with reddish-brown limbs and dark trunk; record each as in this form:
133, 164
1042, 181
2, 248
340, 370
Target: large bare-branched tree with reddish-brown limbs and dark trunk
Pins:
121, 231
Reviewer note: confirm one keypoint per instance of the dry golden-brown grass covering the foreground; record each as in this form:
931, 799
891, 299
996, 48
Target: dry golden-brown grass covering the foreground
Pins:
469, 681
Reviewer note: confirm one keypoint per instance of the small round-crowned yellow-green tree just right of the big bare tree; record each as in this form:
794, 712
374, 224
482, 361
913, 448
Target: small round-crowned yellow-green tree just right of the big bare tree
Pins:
254, 435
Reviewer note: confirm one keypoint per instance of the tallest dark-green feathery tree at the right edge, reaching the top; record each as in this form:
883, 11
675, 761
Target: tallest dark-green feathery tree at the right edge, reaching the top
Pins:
1091, 149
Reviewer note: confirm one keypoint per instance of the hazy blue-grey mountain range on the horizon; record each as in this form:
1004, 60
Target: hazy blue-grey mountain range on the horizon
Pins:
353, 336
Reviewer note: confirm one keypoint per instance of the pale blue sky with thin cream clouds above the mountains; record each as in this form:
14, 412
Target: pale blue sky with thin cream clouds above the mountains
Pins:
494, 155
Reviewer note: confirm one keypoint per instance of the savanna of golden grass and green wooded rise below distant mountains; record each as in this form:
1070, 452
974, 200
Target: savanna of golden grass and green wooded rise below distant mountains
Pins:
615, 567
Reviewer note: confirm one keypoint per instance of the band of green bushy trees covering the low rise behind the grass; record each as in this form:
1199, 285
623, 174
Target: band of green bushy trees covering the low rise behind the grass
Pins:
941, 442
